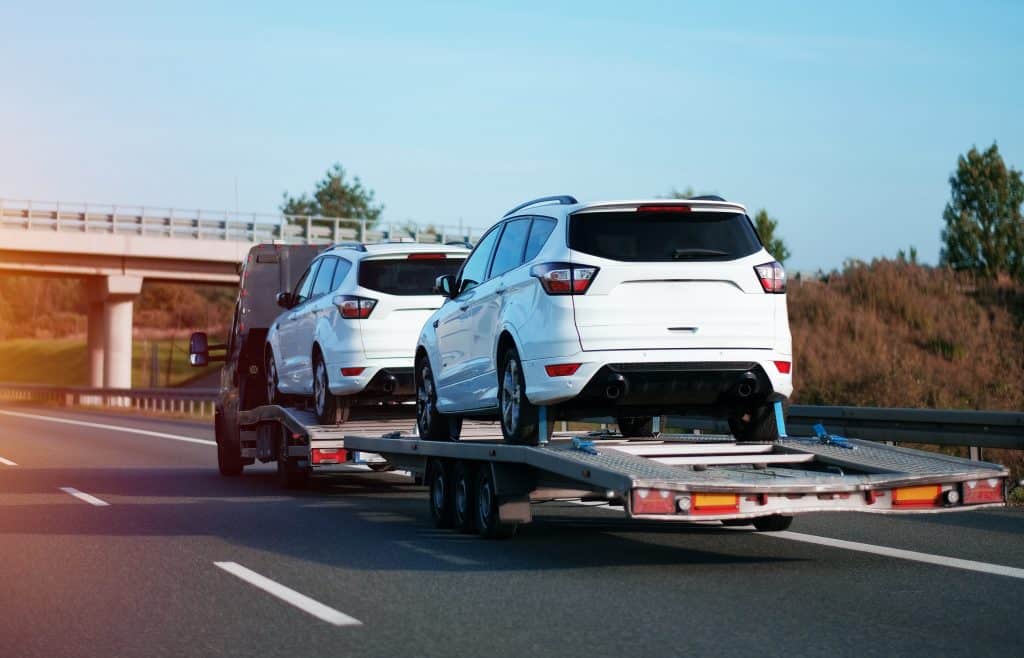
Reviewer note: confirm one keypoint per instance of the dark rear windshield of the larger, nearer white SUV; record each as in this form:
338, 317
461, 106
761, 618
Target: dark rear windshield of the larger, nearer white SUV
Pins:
664, 237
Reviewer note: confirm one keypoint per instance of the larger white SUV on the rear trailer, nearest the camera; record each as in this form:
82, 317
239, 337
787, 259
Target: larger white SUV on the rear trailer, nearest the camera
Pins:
624, 310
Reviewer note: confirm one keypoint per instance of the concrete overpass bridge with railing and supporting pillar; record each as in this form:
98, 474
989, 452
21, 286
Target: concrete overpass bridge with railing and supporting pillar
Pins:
115, 248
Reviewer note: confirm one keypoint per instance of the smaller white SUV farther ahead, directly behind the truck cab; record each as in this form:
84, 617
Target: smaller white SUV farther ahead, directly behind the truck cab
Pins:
350, 332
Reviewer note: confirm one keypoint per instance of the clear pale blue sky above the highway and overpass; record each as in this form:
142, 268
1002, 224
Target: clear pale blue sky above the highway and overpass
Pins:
843, 119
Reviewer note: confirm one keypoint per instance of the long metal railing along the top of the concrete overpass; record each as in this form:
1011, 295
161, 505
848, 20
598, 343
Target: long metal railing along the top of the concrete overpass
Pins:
218, 226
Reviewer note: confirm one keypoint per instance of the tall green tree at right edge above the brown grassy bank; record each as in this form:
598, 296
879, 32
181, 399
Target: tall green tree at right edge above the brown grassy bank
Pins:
985, 231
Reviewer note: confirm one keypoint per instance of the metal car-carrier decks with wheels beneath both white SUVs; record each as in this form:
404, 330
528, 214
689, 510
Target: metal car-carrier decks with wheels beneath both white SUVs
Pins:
480, 484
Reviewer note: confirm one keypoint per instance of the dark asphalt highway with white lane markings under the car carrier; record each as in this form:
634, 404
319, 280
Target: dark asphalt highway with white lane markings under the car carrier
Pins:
118, 538
